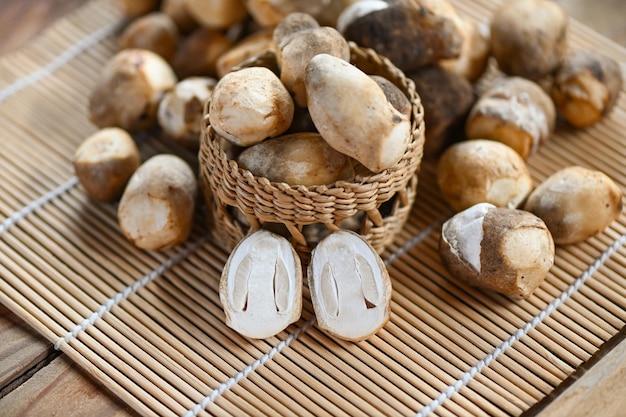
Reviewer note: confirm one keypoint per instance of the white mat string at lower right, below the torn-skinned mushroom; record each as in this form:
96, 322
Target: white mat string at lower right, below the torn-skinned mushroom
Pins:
522, 331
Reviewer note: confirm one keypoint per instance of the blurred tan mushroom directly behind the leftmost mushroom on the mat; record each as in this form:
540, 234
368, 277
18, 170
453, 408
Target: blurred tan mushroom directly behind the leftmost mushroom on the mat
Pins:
129, 90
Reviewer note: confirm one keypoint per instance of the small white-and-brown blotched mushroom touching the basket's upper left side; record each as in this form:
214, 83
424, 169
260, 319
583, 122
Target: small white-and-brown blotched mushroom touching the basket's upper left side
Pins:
181, 110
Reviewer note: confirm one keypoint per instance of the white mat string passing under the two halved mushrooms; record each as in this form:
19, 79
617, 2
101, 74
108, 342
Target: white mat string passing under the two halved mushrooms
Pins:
230, 382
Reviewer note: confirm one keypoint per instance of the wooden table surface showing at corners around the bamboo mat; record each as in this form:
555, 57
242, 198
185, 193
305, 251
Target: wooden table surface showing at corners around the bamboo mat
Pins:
35, 380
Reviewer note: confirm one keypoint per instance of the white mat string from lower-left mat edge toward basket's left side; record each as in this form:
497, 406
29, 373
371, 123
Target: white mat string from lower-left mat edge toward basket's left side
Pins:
127, 292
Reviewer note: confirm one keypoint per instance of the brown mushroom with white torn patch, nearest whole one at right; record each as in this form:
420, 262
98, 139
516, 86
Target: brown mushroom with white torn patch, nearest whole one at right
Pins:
506, 250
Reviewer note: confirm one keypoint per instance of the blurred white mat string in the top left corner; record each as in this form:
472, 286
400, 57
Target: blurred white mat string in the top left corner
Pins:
57, 62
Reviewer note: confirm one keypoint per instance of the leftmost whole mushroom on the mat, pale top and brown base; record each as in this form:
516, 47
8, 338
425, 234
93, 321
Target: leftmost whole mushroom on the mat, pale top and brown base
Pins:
104, 162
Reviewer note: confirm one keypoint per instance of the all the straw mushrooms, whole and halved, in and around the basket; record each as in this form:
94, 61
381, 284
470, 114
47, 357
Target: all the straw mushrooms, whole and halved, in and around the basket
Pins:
287, 104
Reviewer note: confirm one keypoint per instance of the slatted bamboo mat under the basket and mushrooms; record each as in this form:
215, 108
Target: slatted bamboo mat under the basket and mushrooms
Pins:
149, 325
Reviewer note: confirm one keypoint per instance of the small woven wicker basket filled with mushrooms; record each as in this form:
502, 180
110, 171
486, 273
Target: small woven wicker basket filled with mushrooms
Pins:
377, 205
